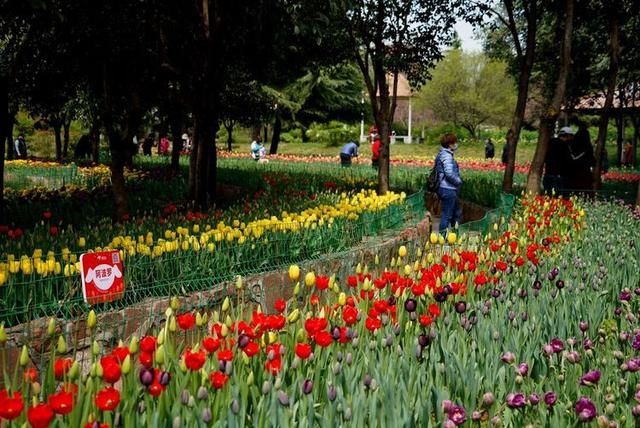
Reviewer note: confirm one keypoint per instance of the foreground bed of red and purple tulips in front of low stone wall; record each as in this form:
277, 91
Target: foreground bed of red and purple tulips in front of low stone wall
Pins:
534, 324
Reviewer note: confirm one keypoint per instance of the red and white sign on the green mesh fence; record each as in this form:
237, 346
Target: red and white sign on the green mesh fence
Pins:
102, 277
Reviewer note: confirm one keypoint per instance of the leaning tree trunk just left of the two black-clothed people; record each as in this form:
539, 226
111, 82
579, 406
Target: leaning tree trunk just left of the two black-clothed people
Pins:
550, 114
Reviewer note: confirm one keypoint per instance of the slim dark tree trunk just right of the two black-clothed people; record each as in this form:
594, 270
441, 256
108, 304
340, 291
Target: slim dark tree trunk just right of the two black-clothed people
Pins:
614, 54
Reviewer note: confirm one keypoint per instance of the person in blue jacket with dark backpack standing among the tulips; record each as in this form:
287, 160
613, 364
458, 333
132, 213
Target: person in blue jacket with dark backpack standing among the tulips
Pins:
450, 182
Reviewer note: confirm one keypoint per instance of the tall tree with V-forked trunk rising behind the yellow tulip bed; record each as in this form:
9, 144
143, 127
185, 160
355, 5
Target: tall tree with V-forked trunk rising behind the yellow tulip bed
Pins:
389, 38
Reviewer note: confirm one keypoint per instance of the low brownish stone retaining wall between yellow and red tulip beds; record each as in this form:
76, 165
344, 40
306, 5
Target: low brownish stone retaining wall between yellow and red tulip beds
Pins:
146, 316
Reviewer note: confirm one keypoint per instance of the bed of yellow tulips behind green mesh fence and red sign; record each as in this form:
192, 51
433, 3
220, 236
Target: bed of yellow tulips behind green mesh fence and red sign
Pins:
196, 250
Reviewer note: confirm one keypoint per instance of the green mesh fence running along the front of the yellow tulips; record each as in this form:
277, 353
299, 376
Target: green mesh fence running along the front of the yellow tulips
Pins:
177, 273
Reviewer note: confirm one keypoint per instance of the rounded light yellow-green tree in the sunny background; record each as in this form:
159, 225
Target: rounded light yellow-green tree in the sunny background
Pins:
469, 90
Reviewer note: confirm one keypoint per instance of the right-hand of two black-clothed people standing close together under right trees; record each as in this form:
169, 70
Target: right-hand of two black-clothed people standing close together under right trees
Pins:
579, 176
